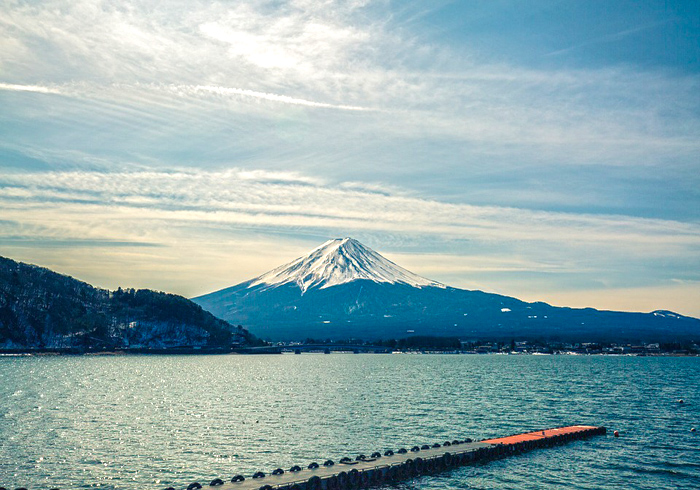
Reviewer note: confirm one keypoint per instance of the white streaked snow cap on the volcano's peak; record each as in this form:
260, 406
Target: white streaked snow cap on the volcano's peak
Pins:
340, 261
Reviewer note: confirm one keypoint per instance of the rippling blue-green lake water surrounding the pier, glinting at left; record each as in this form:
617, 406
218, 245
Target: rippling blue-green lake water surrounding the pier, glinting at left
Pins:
156, 421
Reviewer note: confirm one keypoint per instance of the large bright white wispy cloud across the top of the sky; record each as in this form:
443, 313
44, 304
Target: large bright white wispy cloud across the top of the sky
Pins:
146, 63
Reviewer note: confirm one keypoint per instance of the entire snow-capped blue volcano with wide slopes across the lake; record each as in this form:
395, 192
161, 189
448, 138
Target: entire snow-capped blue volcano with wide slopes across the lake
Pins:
343, 289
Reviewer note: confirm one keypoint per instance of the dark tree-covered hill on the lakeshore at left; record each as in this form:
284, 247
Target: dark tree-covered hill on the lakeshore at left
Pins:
41, 309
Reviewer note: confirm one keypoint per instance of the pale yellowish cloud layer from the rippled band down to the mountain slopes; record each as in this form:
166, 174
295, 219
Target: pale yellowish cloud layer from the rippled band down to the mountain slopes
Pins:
236, 218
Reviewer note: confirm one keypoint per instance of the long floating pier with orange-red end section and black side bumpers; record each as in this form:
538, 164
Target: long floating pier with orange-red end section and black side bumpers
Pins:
390, 466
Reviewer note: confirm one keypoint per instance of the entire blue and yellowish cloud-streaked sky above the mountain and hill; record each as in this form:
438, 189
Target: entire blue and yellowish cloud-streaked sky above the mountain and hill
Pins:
547, 150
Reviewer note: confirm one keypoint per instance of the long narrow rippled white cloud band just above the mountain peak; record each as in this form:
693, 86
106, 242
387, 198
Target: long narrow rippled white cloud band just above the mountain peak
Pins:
238, 197
